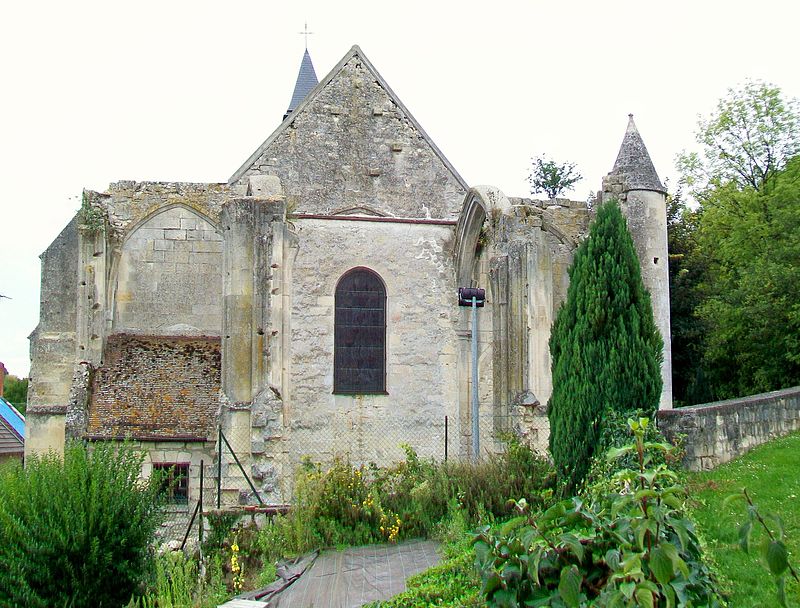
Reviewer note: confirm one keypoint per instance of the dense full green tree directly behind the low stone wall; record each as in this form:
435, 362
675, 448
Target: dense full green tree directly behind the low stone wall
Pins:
751, 240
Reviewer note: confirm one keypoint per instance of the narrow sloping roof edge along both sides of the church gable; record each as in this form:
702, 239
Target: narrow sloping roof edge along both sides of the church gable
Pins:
355, 51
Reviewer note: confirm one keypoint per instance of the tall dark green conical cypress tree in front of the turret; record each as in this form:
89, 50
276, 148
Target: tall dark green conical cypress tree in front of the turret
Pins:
605, 347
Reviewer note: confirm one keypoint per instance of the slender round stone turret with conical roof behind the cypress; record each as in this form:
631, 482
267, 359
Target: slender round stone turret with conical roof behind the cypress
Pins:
643, 199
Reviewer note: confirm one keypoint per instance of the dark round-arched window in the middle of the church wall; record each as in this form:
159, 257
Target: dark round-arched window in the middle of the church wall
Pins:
359, 351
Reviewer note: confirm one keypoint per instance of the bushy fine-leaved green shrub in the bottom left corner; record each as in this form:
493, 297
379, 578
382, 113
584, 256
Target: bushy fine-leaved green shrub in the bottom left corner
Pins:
75, 532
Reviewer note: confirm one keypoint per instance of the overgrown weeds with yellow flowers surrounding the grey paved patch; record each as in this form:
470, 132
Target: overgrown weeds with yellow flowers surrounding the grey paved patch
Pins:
345, 504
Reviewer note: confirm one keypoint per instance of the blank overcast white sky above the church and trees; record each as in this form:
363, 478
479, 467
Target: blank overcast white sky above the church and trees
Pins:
96, 92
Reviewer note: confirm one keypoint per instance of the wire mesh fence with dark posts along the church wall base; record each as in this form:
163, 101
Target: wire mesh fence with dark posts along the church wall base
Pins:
240, 471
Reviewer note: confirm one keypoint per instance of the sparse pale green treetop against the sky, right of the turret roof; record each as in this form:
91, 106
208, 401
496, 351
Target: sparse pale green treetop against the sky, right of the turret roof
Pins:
748, 138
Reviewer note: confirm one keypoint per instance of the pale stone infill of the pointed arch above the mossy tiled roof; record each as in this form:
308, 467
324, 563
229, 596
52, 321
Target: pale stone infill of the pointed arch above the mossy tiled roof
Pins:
170, 276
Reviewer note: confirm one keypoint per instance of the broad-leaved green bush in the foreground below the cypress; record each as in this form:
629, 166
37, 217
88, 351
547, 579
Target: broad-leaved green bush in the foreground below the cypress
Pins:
631, 547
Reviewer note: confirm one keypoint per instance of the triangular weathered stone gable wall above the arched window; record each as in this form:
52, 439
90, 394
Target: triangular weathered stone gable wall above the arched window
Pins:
351, 146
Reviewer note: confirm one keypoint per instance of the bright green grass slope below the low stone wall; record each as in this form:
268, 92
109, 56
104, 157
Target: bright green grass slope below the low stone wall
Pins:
770, 474
